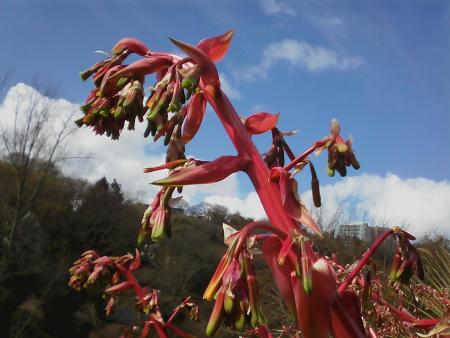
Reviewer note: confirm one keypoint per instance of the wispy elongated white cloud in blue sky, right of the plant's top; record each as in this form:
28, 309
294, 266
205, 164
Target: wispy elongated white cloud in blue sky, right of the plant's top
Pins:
300, 54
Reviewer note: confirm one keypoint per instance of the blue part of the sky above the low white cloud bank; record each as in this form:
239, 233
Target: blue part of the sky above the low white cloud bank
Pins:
382, 68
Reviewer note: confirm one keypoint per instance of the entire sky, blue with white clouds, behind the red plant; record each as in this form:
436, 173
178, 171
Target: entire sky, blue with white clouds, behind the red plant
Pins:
382, 68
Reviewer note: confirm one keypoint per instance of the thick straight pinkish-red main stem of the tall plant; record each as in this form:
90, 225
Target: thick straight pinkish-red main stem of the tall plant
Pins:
268, 192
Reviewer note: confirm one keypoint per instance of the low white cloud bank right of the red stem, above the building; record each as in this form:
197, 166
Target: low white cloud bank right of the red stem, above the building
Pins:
420, 204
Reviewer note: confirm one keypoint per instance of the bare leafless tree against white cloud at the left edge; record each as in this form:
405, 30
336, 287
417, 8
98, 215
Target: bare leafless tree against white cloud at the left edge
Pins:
33, 140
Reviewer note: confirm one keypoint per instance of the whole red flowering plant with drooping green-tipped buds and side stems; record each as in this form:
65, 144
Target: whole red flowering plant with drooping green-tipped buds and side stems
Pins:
321, 303
